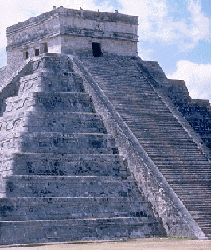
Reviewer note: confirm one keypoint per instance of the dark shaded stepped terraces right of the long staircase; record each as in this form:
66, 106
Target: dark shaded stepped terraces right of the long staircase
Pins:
196, 112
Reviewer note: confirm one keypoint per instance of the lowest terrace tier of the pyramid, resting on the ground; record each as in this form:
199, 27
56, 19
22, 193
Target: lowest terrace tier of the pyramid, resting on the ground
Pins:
23, 232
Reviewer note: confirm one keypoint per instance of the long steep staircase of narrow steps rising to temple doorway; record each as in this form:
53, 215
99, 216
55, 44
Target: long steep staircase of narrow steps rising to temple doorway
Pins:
173, 151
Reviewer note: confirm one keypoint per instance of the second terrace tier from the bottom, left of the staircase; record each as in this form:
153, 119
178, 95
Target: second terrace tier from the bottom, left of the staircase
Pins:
19, 209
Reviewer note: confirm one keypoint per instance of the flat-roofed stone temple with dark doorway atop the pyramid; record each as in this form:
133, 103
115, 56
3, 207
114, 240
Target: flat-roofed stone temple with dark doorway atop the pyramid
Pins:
71, 31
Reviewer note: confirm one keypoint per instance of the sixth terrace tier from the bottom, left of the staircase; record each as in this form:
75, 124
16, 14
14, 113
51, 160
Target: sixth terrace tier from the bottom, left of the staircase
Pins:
66, 122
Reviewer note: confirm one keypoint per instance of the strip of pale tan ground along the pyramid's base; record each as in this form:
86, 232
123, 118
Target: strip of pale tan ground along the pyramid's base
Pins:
132, 244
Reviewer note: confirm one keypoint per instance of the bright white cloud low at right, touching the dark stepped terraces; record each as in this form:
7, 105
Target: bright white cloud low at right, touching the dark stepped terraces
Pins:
197, 78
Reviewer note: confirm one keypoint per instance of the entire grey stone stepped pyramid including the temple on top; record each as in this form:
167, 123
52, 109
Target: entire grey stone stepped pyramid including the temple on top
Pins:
95, 143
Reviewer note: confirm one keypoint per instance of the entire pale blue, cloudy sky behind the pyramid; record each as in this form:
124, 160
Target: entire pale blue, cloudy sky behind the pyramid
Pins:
176, 33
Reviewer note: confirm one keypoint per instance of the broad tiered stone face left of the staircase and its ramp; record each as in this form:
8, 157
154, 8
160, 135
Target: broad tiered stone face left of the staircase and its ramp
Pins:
62, 178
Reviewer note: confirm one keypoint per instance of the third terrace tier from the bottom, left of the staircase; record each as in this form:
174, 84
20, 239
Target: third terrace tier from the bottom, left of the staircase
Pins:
68, 186
